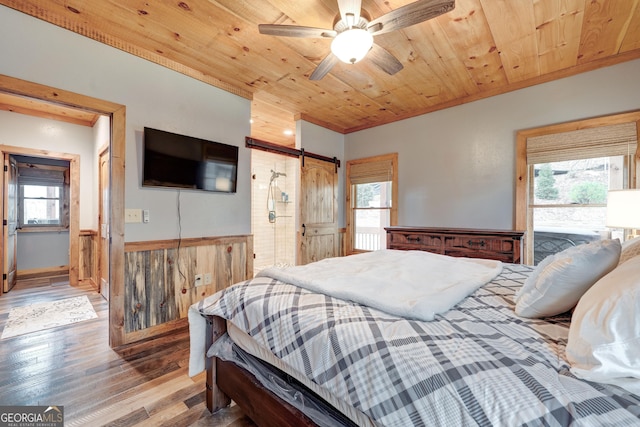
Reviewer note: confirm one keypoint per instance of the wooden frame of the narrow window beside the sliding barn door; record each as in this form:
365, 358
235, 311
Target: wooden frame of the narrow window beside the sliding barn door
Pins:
392, 159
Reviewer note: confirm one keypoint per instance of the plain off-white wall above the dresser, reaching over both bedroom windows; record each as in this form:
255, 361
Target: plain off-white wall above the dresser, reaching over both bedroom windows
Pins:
457, 166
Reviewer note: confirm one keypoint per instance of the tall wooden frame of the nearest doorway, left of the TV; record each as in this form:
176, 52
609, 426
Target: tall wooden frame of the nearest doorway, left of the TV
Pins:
117, 145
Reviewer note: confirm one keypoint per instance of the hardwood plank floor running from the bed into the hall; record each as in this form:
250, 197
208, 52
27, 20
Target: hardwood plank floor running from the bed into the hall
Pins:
143, 384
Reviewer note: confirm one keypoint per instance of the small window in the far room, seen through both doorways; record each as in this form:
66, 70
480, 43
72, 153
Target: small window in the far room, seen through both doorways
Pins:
43, 196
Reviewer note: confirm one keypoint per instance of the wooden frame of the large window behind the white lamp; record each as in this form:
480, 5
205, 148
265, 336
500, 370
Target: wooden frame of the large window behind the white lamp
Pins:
524, 185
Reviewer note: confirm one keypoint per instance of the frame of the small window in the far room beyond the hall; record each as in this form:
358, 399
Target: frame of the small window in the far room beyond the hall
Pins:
64, 197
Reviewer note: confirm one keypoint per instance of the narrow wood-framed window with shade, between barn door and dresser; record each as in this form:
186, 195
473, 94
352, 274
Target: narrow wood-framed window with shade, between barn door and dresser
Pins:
372, 192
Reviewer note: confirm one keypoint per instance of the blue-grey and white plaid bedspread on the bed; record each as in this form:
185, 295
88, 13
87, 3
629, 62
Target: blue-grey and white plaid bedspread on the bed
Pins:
478, 364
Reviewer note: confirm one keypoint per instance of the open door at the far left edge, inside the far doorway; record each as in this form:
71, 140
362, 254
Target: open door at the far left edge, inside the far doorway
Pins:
10, 222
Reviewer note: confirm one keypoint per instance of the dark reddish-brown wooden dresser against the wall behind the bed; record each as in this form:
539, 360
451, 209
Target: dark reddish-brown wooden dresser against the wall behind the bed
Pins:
502, 245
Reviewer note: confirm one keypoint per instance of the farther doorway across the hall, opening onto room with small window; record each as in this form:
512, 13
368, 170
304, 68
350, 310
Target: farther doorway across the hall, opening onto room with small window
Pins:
59, 174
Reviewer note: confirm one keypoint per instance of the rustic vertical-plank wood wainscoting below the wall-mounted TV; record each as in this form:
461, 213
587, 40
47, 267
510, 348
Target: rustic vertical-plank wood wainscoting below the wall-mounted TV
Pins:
160, 278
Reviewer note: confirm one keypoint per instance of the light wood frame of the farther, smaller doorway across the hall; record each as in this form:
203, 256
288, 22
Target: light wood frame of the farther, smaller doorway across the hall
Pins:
74, 200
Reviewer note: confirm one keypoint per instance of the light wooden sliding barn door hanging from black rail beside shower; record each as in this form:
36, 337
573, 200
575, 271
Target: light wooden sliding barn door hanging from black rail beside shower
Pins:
318, 236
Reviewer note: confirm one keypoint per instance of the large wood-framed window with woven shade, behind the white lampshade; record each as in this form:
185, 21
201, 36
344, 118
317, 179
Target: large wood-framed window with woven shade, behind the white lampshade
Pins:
569, 169
